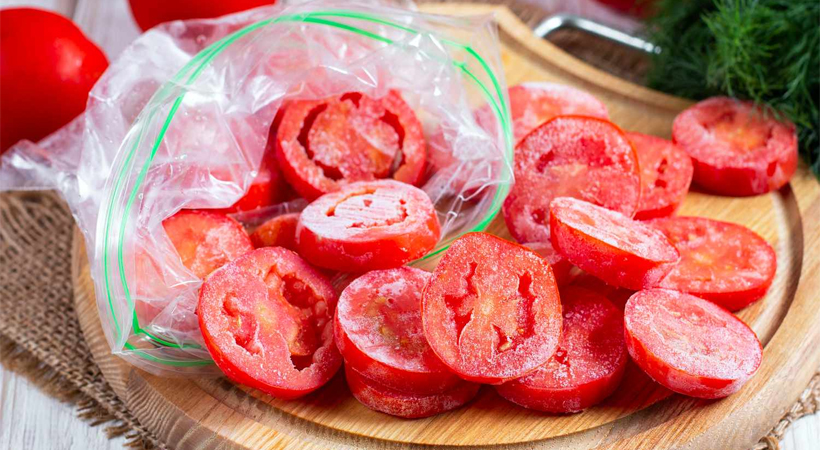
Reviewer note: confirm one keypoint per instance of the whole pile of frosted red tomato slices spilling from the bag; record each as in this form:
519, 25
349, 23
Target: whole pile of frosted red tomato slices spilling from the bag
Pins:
603, 270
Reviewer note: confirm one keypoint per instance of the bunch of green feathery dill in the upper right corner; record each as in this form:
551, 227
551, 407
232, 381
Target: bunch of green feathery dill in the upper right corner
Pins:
767, 51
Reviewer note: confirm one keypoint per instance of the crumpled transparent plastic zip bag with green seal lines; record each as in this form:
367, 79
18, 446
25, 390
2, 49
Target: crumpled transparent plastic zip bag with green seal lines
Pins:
150, 147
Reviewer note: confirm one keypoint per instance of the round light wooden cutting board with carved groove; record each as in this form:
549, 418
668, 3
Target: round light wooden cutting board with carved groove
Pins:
188, 413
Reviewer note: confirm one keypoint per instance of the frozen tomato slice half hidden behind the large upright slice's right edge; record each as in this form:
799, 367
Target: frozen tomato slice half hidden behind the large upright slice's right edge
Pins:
666, 173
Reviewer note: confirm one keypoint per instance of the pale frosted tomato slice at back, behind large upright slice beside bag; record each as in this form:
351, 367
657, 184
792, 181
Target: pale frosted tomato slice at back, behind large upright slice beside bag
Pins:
534, 103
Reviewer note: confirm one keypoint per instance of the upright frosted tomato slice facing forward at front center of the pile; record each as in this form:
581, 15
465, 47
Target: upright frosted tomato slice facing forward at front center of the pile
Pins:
491, 310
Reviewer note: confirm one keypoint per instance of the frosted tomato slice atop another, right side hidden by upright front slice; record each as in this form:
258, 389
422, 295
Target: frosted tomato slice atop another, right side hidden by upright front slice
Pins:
378, 330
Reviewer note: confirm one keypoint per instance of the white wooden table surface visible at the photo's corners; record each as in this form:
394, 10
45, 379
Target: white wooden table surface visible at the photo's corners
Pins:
33, 420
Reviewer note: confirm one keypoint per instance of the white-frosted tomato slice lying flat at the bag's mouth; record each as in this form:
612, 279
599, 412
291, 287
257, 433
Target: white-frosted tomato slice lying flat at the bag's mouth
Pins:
368, 225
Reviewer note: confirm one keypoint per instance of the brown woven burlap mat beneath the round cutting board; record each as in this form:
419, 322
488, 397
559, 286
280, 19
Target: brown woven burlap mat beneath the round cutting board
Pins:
40, 335
